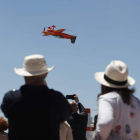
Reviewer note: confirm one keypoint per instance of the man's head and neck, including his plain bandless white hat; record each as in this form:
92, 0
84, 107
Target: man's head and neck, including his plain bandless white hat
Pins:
34, 69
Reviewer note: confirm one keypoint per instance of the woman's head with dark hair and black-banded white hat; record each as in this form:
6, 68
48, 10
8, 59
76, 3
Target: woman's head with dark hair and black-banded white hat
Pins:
115, 78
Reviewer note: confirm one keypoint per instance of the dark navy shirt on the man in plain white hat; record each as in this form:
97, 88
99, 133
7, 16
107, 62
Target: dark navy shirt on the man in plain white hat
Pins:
35, 112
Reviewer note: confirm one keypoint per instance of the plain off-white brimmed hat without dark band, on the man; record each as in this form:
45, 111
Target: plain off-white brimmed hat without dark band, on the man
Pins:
33, 65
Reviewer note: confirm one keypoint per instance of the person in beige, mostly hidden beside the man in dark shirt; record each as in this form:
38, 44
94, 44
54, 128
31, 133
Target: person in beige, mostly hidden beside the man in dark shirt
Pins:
65, 131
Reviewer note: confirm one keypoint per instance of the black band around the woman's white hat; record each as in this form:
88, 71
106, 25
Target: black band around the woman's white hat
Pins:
114, 82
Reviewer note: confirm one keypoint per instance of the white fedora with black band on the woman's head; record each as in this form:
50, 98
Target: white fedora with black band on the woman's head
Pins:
115, 75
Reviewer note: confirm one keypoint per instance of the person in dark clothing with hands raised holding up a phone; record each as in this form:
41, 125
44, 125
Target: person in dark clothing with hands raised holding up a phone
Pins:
78, 122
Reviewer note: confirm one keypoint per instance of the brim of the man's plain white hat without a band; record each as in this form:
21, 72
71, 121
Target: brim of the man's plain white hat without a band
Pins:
23, 72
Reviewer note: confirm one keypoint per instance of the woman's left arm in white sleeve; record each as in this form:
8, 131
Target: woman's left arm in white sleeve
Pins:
105, 118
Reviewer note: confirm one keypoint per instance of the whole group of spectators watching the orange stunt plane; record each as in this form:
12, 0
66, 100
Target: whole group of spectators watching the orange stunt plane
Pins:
35, 112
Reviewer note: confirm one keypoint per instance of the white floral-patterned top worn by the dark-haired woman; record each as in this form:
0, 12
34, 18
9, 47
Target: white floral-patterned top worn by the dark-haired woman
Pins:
114, 115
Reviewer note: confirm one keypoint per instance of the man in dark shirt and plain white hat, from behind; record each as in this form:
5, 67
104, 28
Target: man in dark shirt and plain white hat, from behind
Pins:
34, 111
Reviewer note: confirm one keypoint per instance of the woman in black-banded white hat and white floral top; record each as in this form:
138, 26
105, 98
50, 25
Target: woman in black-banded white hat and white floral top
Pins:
119, 110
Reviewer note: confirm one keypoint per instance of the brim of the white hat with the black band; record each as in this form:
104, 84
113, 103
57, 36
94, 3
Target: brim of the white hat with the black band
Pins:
99, 76
